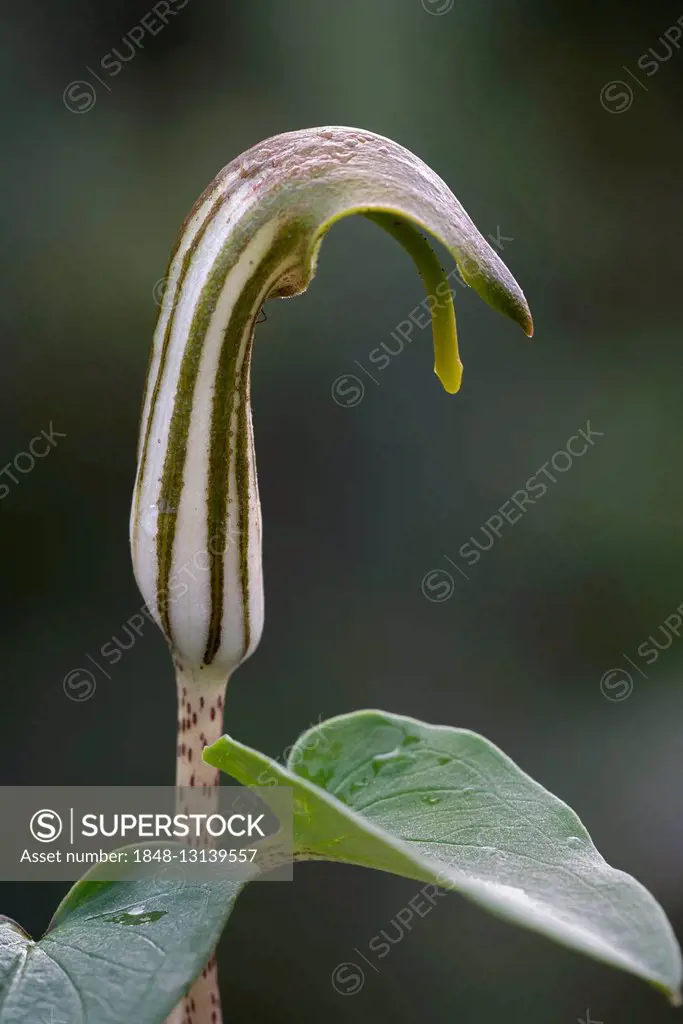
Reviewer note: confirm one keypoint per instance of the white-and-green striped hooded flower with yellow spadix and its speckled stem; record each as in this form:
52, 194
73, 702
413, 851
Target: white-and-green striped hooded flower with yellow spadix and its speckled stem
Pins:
196, 523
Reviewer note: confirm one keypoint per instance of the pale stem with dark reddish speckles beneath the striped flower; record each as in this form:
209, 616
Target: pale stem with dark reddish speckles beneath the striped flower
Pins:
201, 703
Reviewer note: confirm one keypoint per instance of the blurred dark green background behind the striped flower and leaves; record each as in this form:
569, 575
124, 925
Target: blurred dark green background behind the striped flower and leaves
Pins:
503, 100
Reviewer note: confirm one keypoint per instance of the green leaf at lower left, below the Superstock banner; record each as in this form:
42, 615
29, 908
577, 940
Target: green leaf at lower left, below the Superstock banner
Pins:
115, 952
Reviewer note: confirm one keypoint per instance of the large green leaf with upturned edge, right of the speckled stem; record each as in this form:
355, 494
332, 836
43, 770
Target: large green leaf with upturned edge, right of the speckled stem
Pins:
446, 806
